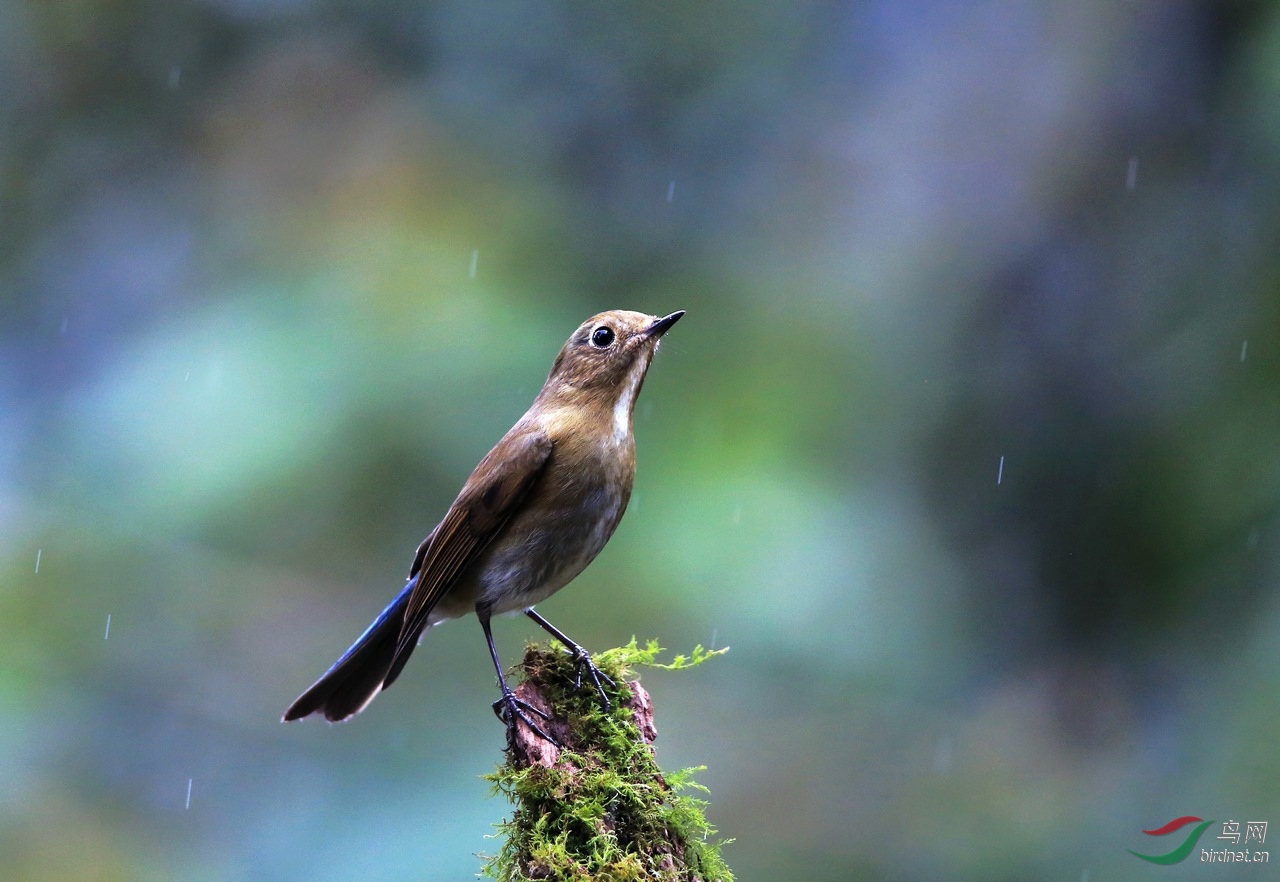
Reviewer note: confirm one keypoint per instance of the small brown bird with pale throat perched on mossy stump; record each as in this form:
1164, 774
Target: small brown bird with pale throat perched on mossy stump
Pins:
536, 511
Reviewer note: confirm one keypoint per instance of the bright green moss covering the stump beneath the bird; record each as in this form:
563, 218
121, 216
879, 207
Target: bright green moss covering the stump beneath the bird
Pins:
604, 810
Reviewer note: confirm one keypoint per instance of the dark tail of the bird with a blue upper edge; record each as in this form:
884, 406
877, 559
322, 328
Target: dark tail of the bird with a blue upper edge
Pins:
371, 666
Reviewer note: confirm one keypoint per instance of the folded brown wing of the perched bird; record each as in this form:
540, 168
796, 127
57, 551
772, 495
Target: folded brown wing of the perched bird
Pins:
488, 501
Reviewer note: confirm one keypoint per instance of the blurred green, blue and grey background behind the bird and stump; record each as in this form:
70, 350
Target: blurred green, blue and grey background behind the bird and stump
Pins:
968, 445
